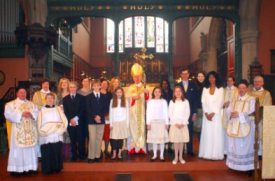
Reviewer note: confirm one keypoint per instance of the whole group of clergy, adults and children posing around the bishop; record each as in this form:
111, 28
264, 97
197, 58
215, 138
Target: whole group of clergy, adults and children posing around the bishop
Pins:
102, 110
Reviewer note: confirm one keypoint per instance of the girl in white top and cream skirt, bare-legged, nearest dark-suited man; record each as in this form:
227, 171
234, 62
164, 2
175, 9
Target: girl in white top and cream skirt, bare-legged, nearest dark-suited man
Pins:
179, 112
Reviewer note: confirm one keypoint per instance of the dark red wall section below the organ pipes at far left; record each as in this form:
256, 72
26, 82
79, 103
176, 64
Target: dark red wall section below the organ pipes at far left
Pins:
13, 68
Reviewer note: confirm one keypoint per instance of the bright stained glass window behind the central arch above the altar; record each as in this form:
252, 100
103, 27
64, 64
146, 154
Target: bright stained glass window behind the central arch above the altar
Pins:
139, 32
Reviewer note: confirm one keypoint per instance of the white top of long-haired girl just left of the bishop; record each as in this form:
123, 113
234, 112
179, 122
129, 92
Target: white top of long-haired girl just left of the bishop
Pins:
119, 114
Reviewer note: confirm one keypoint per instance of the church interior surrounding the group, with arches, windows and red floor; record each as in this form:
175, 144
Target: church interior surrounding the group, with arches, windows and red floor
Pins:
98, 39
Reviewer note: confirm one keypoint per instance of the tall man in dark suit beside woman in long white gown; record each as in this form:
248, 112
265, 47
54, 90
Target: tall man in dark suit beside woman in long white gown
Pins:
191, 93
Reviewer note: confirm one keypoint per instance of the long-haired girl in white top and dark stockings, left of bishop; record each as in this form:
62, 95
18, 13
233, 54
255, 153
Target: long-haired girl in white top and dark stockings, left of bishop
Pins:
119, 122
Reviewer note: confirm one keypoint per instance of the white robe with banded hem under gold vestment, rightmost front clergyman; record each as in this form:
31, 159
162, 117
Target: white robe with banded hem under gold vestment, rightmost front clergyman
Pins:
240, 154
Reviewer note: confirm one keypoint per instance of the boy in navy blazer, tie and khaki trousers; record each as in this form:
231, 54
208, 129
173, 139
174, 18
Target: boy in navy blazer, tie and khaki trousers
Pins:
97, 107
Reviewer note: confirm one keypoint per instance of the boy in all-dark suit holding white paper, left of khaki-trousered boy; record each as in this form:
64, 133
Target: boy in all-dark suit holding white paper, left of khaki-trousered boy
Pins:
73, 109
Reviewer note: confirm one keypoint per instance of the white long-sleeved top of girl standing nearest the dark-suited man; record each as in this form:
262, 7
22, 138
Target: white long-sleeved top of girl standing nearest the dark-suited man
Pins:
179, 112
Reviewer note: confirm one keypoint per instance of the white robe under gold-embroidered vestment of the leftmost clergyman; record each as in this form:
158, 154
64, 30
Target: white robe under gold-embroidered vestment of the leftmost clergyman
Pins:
20, 158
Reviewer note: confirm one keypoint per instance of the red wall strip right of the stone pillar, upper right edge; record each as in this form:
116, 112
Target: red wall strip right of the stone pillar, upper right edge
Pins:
266, 33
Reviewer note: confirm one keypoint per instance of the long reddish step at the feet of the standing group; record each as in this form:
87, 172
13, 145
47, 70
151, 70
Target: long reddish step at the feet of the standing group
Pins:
134, 166
